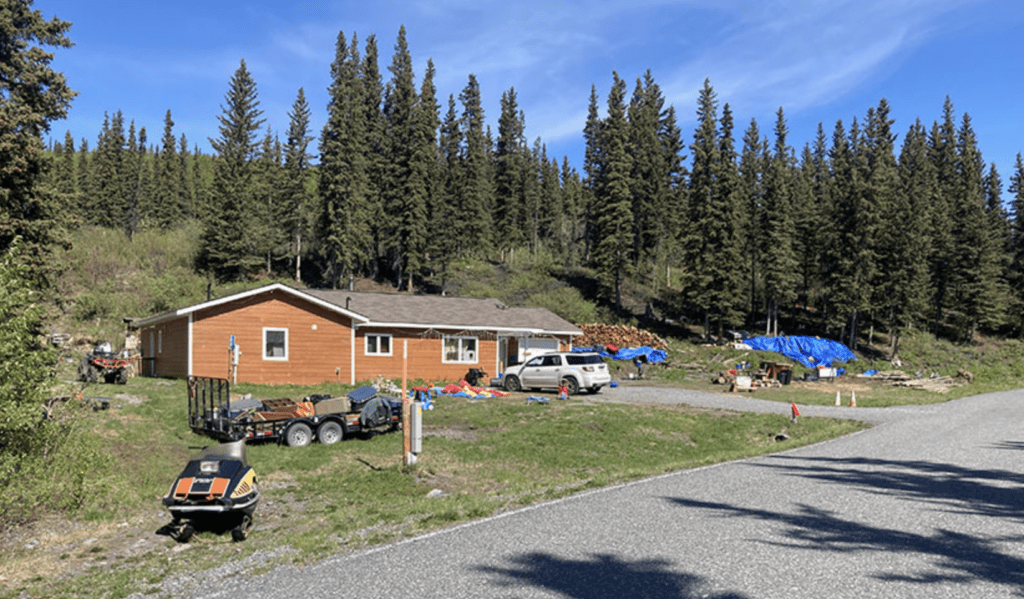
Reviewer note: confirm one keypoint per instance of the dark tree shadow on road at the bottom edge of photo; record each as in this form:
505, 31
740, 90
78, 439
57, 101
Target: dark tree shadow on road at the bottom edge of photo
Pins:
603, 576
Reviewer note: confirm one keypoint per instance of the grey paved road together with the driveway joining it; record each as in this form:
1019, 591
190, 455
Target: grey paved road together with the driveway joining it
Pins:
927, 504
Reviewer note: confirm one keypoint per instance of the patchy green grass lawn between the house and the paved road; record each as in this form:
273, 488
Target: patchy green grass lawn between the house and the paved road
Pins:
481, 458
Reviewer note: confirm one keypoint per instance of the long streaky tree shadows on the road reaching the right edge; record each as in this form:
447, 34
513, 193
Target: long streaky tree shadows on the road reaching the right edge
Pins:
960, 558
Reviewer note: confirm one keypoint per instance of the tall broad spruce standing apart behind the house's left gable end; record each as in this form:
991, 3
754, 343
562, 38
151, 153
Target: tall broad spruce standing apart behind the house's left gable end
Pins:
228, 247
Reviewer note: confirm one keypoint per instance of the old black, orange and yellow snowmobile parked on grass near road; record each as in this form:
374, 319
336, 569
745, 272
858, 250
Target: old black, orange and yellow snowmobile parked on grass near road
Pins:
217, 491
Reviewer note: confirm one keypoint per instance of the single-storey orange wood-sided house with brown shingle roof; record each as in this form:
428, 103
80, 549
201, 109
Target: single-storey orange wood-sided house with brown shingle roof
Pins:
281, 335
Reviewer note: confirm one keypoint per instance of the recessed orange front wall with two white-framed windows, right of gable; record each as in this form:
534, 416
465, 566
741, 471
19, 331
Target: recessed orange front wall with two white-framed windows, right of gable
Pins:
425, 357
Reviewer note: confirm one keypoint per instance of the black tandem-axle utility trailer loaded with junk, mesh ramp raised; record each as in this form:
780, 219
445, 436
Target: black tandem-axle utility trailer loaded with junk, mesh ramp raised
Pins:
216, 414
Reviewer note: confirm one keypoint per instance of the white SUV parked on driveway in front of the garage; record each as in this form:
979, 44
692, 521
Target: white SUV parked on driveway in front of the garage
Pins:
579, 371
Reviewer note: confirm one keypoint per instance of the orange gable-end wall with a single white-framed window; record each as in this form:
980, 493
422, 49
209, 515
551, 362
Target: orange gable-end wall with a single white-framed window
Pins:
319, 341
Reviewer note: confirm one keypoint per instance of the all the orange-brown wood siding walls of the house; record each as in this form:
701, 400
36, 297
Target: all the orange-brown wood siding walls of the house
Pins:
319, 347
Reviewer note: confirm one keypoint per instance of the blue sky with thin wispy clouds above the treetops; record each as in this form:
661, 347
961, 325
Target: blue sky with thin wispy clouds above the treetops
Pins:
820, 61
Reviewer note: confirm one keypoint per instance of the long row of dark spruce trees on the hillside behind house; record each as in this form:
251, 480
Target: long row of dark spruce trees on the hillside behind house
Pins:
738, 231
